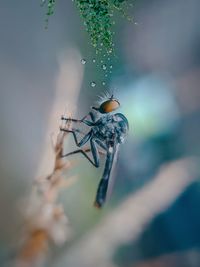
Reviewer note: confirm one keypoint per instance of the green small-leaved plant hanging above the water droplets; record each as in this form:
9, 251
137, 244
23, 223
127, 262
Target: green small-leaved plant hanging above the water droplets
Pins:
98, 19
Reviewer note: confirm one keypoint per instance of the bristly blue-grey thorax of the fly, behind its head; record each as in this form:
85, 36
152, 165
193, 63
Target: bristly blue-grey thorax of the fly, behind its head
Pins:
110, 128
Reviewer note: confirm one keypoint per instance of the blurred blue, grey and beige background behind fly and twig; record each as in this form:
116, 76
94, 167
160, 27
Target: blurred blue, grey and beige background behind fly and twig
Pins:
153, 216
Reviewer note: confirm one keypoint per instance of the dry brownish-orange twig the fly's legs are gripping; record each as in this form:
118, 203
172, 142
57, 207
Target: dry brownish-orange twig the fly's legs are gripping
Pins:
45, 218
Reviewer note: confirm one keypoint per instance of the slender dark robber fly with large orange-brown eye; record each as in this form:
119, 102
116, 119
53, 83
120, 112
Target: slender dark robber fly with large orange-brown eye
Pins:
107, 130
